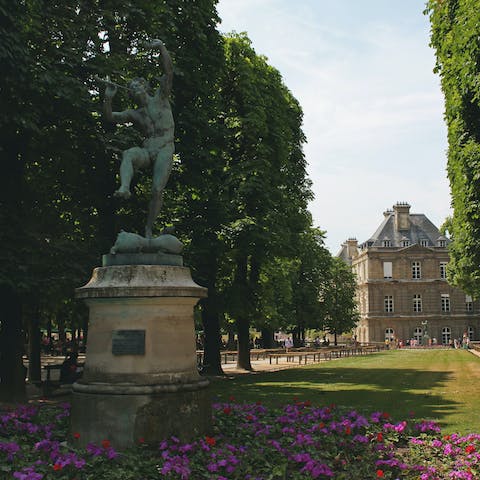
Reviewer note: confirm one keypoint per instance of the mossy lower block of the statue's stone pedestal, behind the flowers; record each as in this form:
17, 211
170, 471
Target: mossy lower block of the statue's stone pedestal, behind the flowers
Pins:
126, 420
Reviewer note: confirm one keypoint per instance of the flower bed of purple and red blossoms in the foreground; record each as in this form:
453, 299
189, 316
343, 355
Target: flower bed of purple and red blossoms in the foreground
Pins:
249, 442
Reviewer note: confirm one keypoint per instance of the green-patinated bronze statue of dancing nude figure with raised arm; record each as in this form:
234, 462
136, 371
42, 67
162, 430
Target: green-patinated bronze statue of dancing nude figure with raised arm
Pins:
154, 119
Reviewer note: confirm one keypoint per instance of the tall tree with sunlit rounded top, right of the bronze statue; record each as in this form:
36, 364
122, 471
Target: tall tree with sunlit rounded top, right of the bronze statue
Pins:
267, 183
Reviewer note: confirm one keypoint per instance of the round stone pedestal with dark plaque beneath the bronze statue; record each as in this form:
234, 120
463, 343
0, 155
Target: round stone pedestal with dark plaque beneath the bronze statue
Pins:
140, 378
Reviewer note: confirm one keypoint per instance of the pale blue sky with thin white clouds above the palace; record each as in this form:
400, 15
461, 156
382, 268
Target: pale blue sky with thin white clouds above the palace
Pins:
362, 71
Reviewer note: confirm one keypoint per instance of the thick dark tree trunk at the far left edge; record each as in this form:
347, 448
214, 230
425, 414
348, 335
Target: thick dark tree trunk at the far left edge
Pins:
12, 370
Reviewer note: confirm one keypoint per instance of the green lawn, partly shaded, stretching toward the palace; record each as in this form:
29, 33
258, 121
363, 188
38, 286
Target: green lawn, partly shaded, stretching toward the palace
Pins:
442, 385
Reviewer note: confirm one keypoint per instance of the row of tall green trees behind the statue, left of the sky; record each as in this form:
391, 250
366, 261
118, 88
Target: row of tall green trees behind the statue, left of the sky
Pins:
237, 195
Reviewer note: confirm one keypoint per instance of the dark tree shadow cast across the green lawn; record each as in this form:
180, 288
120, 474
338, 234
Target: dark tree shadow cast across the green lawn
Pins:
397, 390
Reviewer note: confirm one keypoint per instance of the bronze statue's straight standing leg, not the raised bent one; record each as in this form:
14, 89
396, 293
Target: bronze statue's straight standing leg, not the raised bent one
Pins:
161, 171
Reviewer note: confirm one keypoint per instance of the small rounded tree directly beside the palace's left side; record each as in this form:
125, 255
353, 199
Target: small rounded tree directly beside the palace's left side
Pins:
340, 305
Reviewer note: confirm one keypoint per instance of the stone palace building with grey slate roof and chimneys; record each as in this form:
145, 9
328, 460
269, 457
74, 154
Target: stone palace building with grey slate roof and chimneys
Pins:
402, 288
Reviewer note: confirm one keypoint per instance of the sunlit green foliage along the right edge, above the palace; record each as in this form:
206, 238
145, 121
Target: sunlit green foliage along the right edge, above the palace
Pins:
456, 39
